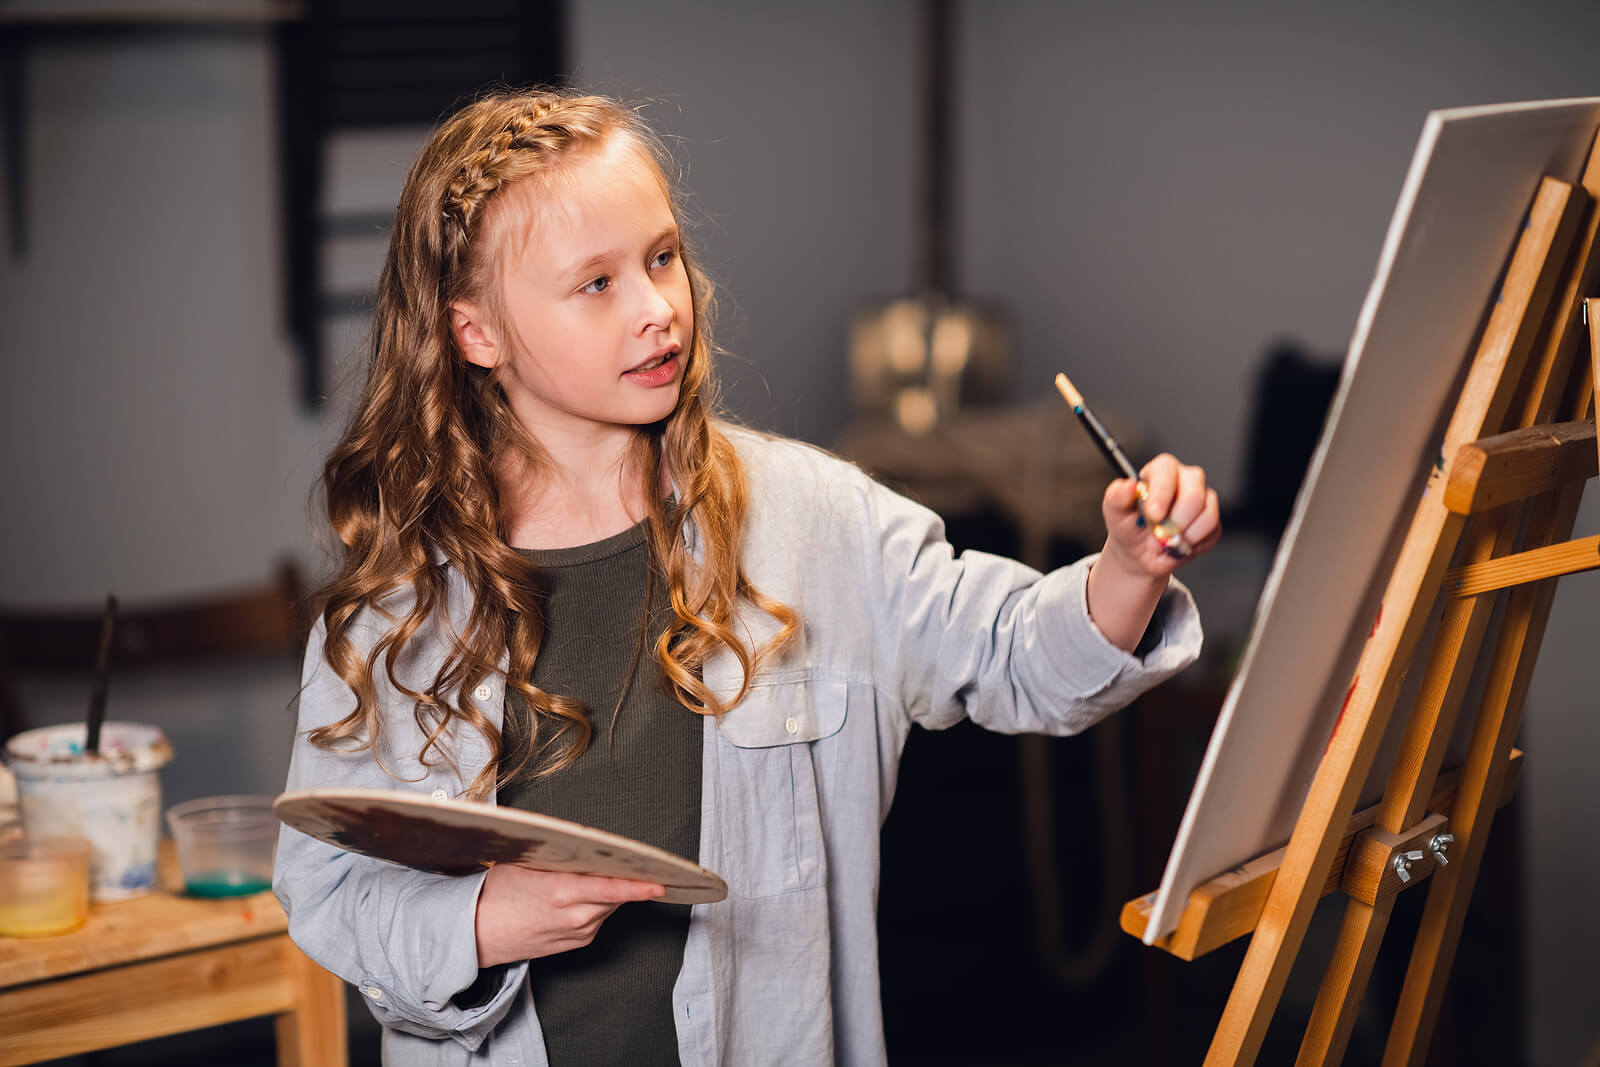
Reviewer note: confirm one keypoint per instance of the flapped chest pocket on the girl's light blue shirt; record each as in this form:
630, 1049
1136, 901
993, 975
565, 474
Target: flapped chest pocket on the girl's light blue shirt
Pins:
767, 789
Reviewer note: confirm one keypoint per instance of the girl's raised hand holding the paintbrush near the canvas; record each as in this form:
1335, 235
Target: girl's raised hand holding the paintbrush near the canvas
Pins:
1174, 490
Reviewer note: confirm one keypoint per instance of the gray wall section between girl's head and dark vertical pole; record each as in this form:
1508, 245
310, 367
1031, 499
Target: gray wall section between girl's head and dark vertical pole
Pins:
796, 135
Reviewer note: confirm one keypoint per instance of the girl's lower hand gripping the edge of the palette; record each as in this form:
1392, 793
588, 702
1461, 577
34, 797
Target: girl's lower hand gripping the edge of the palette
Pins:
527, 914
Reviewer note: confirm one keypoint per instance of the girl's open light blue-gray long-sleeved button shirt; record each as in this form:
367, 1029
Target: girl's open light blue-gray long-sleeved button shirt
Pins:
798, 778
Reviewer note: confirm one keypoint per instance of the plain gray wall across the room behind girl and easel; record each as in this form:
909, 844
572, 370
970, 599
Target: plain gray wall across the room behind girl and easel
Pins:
1154, 196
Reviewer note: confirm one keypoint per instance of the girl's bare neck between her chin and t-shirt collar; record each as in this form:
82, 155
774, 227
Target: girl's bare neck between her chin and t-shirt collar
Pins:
583, 492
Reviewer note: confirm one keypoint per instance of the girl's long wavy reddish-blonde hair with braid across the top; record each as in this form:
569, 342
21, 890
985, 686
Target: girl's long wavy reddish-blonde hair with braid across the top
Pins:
415, 476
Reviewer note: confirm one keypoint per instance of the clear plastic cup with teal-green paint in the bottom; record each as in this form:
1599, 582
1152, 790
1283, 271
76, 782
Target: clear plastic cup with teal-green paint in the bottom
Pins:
225, 844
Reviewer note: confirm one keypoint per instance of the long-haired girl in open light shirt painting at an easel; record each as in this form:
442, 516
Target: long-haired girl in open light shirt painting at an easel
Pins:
567, 586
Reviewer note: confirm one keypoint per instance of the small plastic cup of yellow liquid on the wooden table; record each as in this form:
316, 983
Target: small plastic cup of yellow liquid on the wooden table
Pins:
44, 885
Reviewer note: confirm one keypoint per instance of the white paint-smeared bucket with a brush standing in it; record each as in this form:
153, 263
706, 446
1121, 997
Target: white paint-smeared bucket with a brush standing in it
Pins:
113, 799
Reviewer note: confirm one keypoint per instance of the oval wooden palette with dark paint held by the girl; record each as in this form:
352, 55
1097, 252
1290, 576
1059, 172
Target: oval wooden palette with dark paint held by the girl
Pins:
457, 837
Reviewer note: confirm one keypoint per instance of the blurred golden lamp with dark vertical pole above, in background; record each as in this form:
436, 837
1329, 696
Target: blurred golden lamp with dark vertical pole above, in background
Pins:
921, 359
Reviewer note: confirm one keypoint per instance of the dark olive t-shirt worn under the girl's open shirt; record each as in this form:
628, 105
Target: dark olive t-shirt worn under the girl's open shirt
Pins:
641, 777
